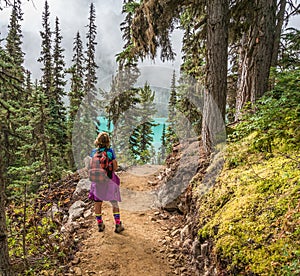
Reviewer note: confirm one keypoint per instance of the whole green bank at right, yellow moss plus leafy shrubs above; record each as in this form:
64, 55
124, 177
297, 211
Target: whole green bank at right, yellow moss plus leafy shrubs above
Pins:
251, 215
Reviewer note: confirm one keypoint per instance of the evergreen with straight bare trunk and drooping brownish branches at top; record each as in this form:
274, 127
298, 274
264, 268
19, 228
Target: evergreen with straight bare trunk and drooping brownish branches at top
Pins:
151, 28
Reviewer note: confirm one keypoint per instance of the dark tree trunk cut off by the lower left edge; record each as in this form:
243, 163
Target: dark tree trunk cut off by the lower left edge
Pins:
5, 267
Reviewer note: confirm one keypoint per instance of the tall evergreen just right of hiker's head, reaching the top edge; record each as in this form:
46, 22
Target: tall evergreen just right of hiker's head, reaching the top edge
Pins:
123, 97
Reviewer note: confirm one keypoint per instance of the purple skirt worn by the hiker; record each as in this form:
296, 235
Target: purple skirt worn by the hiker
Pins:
106, 191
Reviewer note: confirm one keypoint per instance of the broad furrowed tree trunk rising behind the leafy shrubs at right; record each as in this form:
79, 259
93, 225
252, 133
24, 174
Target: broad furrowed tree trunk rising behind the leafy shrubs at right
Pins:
256, 61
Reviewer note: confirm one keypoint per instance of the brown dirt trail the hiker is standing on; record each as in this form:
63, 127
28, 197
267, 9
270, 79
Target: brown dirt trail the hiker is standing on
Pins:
137, 250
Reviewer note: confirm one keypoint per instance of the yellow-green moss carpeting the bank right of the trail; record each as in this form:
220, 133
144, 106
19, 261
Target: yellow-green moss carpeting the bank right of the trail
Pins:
252, 213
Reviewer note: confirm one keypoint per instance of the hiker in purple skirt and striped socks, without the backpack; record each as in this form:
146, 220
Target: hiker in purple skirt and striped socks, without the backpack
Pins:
109, 189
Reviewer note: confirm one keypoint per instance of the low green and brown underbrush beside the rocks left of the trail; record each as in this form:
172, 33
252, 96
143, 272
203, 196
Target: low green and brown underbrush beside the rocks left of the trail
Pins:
35, 239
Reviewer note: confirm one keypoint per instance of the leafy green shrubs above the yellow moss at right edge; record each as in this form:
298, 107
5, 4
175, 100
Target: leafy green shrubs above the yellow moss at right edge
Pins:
276, 118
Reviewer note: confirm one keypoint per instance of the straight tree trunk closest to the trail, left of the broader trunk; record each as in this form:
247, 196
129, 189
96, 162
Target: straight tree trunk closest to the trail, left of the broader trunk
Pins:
216, 75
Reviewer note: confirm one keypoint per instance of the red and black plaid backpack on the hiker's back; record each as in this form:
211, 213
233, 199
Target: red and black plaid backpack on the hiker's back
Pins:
100, 168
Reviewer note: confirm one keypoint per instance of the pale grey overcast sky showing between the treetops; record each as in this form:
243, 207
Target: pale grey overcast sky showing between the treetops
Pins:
73, 16
